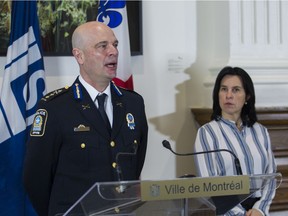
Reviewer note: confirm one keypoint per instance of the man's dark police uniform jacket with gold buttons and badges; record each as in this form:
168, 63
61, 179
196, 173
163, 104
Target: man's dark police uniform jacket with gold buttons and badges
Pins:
69, 148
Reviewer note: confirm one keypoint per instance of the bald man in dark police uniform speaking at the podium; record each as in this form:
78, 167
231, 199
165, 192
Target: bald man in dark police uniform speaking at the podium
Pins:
69, 147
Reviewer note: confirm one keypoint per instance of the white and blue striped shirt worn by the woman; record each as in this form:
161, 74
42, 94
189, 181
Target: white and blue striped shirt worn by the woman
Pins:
251, 145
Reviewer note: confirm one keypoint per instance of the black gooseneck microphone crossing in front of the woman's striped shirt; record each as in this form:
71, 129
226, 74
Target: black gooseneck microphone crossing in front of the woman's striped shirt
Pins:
167, 145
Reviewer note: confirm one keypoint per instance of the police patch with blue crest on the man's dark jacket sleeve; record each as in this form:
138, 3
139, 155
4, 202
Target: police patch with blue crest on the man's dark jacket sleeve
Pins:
39, 123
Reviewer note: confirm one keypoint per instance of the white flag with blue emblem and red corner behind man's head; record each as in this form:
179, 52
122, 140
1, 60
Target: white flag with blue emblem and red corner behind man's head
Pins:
114, 14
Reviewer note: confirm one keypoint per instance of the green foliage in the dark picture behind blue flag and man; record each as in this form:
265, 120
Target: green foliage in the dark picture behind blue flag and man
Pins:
57, 20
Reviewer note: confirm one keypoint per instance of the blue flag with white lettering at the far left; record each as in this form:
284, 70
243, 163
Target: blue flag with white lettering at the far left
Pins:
23, 85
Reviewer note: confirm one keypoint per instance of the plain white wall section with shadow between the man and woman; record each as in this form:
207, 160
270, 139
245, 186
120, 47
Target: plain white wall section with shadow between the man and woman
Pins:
169, 34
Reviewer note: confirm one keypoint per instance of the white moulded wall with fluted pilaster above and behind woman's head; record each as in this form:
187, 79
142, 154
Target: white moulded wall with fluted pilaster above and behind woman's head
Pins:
225, 36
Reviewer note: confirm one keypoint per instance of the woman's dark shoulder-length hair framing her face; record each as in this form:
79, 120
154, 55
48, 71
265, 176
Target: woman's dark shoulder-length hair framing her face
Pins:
248, 113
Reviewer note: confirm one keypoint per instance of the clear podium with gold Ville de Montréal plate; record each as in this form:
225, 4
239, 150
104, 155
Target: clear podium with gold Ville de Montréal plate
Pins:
181, 196
